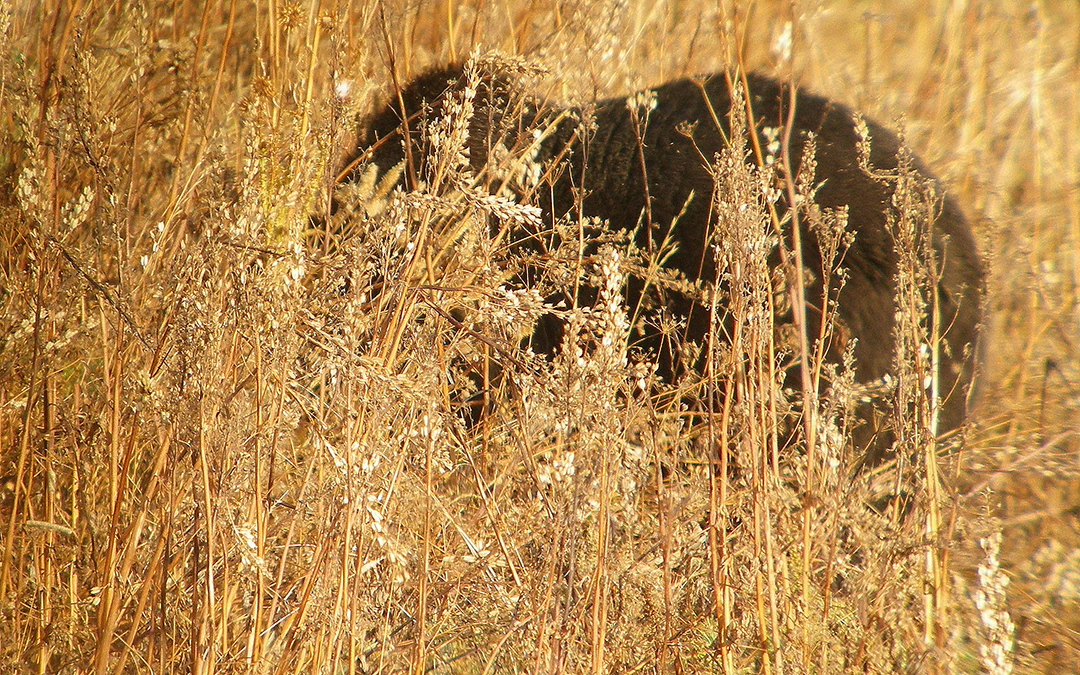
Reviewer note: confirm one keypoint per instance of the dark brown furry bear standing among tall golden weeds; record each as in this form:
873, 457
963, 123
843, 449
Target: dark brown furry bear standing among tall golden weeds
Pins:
606, 154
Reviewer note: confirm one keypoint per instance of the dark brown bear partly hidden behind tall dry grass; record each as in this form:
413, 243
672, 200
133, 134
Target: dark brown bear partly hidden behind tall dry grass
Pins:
649, 173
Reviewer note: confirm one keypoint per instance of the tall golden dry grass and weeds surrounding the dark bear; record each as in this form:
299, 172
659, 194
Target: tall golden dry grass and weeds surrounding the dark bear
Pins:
231, 436
